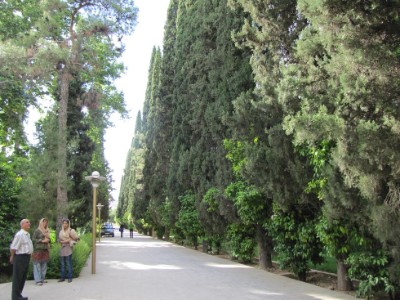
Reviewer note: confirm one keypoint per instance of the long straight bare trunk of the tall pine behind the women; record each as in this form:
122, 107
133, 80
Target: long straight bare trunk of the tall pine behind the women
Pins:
62, 198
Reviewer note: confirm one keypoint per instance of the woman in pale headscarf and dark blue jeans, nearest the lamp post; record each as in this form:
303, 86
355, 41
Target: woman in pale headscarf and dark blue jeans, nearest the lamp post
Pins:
67, 238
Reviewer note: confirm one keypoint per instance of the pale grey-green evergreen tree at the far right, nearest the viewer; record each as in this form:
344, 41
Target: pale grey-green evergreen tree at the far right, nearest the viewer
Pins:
344, 86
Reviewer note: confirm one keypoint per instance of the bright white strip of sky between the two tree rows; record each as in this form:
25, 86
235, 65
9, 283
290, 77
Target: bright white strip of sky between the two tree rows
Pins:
148, 33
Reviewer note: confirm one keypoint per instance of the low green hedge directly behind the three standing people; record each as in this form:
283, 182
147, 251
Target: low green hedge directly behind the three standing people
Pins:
80, 255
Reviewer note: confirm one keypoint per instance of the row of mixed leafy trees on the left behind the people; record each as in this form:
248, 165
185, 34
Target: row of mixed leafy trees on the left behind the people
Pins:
65, 53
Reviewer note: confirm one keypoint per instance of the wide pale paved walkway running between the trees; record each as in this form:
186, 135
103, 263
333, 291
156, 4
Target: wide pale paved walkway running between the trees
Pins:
144, 268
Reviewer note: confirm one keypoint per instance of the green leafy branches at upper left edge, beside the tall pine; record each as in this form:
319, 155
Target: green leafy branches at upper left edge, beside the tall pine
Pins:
17, 90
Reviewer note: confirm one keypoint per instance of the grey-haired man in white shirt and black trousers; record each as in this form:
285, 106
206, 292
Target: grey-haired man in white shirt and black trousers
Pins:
21, 249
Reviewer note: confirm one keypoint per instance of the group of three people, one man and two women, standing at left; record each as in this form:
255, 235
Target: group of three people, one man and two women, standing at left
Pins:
23, 248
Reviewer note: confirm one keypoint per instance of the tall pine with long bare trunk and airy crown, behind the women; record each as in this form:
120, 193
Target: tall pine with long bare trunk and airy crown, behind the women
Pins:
72, 38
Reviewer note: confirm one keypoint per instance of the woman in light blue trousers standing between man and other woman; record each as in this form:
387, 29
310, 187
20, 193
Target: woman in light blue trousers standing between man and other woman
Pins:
40, 255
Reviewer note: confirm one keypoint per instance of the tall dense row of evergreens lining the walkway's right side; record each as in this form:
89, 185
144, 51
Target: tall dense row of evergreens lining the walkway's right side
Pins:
274, 125
